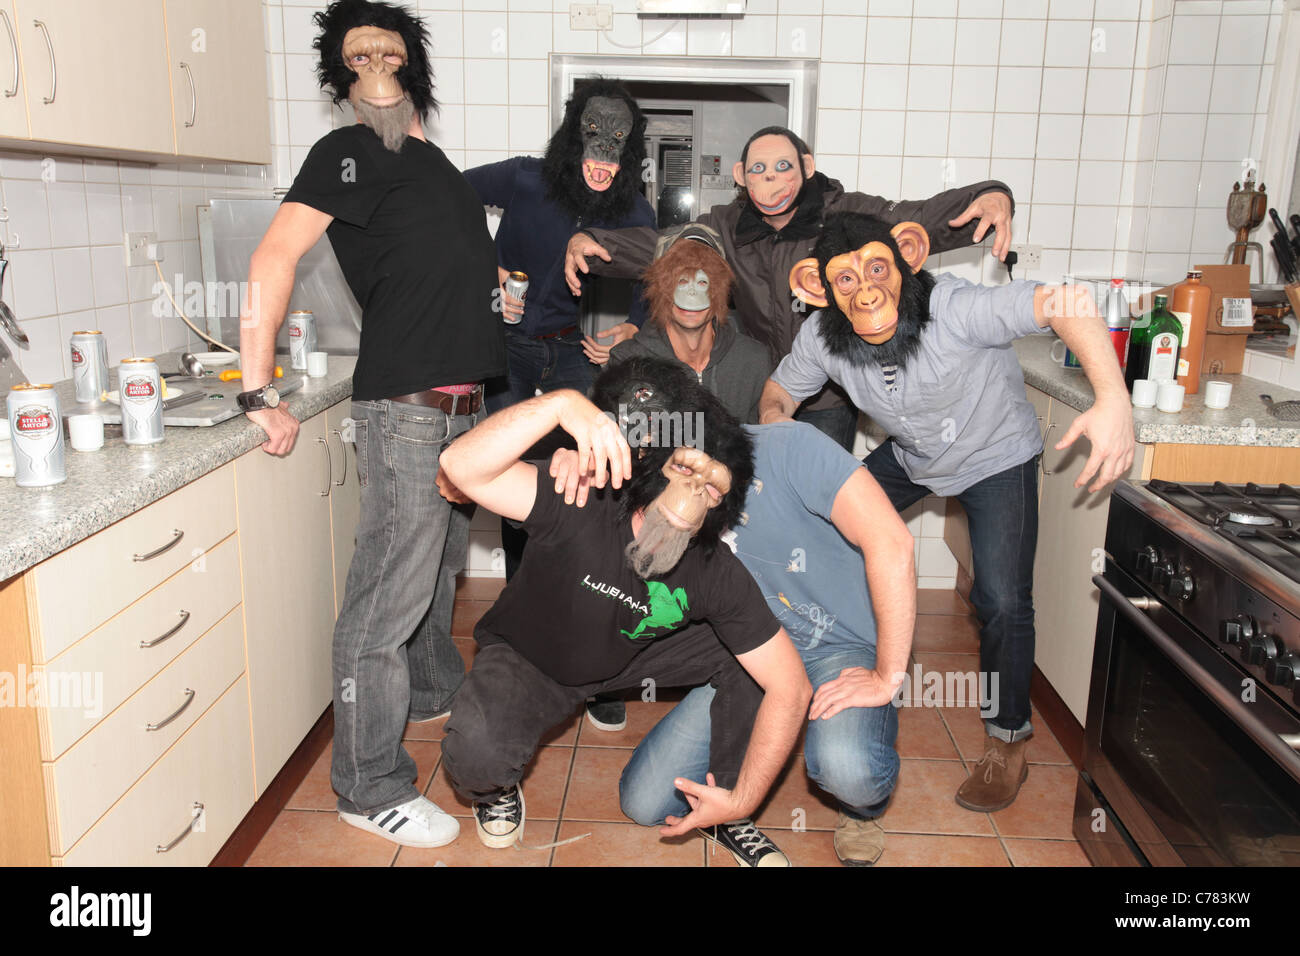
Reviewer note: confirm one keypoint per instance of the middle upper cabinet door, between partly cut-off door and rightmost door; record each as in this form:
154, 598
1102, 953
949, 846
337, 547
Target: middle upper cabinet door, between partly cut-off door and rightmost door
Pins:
97, 73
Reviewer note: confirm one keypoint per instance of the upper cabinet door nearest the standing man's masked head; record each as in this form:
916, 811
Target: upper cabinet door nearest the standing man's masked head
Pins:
219, 80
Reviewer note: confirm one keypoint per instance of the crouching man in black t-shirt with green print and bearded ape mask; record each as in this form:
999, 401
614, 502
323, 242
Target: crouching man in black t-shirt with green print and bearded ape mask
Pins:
616, 596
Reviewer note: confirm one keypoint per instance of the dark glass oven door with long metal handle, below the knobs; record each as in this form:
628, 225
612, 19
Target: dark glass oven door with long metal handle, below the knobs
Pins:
1195, 763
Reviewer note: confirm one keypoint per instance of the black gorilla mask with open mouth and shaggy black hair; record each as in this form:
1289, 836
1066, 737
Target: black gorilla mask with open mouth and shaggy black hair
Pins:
601, 101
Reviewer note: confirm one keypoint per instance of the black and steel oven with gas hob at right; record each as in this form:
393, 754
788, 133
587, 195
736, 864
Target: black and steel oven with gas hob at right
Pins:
1193, 726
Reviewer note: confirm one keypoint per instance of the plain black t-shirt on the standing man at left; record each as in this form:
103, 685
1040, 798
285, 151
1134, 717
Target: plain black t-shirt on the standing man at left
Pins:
413, 241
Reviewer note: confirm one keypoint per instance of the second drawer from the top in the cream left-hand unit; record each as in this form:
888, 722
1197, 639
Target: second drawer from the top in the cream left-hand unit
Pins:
111, 661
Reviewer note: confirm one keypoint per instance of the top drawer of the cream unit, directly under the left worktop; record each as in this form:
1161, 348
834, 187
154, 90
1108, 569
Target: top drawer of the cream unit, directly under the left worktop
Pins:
81, 589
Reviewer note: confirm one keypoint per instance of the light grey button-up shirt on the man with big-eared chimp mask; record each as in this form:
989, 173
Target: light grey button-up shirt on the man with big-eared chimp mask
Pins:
959, 413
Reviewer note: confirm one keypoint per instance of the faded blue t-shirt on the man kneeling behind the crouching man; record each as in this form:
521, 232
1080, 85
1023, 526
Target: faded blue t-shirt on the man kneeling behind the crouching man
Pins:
813, 579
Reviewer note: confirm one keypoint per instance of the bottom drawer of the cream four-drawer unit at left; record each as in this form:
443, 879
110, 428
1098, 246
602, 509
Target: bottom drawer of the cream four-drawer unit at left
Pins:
211, 765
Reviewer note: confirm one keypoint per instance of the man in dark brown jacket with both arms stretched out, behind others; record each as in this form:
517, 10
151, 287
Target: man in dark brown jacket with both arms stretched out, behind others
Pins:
774, 226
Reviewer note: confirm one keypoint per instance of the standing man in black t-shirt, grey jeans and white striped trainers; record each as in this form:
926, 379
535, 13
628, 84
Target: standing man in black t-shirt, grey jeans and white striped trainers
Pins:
411, 240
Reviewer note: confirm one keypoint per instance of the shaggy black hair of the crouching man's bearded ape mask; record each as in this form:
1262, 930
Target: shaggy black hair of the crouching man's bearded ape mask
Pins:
660, 387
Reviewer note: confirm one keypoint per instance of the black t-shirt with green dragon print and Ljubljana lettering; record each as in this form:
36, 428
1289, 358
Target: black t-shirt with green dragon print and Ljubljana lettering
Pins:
580, 615
